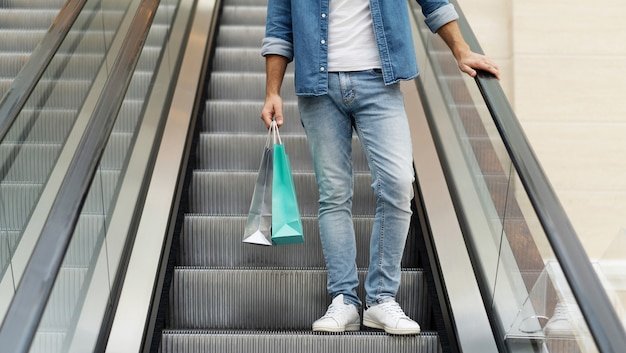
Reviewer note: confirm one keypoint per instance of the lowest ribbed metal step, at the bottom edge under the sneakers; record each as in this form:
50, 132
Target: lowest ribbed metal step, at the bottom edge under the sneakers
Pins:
290, 342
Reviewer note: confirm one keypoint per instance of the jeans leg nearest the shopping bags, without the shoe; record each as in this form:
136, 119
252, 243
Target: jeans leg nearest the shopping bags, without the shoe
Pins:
329, 133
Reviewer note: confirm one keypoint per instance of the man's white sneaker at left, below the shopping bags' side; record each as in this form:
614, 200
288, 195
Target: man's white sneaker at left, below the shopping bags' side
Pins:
339, 317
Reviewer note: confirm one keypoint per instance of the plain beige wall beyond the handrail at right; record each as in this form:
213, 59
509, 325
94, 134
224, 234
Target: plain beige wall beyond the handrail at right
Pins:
564, 70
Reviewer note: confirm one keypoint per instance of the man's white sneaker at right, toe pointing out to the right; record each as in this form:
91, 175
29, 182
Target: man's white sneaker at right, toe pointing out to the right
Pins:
389, 316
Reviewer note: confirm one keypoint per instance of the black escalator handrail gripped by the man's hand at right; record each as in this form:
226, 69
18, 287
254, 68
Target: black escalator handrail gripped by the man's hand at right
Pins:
585, 284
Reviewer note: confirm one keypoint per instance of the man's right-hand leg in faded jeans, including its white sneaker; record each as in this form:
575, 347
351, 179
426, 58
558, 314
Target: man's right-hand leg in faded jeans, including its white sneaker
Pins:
382, 127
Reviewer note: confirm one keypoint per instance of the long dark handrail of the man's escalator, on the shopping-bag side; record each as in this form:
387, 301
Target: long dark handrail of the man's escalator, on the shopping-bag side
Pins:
28, 304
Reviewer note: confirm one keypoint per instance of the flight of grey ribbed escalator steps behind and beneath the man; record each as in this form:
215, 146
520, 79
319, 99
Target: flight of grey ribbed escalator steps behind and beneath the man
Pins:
227, 296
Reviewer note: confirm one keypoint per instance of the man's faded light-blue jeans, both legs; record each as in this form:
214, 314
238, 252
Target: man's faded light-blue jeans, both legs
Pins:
361, 101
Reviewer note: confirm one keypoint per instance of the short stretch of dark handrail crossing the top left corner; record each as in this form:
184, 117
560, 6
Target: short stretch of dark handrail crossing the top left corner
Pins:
28, 77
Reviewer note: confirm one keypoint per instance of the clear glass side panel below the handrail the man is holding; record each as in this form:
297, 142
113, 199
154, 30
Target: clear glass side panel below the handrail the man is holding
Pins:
520, 280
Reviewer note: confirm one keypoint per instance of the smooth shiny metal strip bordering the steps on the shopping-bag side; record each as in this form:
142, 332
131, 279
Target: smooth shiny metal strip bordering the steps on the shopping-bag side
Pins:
132, 320
